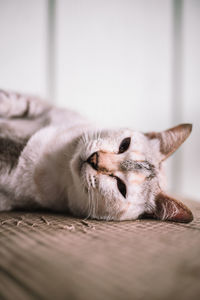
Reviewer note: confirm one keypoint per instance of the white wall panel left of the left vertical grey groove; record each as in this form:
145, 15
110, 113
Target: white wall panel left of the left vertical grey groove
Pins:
23, 45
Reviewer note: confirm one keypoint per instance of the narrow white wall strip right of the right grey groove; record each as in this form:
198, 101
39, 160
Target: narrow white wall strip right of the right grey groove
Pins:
190, 180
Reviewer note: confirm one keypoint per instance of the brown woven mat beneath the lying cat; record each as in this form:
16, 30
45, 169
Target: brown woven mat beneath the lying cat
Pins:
51, 256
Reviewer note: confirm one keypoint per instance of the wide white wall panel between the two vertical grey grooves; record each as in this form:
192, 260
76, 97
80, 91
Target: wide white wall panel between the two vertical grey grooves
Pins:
114, 60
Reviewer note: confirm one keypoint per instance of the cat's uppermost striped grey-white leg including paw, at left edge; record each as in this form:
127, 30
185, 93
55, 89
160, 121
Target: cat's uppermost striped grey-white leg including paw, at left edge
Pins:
14, 105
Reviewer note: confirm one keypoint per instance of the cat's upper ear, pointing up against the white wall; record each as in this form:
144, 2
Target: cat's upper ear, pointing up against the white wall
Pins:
171, 139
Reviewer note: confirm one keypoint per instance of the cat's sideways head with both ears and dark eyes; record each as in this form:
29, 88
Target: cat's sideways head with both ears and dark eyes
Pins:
118, 175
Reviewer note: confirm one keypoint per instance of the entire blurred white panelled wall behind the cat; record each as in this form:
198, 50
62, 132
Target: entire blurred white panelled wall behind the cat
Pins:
129, 63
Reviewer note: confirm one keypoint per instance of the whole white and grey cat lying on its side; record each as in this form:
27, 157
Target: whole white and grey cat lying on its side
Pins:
55, 159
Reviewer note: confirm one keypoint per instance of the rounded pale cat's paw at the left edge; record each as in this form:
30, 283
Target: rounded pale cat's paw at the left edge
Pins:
12, 105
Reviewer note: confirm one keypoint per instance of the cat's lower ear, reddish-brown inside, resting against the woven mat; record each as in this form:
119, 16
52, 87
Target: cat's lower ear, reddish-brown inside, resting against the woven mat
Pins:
170, 209
